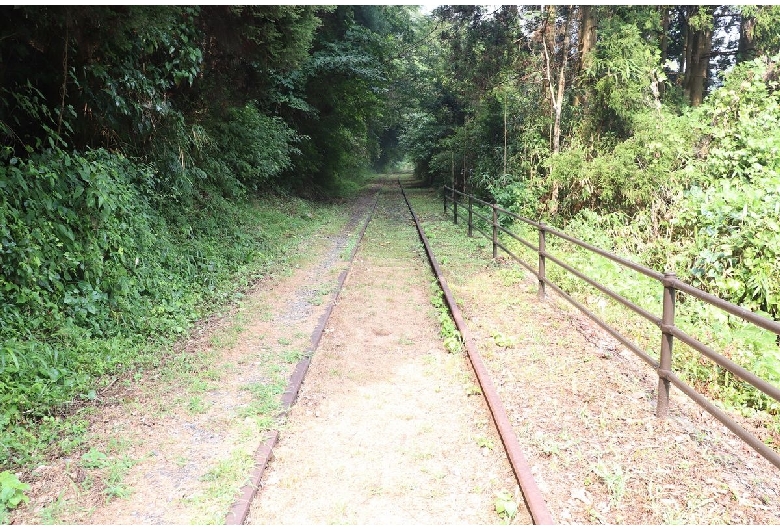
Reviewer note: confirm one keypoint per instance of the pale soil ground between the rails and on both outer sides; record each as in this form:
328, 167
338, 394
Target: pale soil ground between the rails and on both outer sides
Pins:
389, 427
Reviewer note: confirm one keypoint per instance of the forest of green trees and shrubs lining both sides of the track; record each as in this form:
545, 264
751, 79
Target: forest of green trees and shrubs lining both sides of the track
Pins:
141, 146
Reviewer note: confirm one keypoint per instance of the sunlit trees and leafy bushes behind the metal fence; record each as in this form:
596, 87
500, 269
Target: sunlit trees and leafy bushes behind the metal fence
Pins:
648, 130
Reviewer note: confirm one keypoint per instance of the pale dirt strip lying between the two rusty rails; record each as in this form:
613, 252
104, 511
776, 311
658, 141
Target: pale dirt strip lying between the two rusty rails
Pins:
388, 428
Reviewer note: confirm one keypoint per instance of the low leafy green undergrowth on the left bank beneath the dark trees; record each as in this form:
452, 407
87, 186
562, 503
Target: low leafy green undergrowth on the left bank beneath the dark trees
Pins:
95, 281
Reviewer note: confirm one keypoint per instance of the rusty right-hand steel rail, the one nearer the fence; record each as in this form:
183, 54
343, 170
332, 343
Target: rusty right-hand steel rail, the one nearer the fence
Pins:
531, 493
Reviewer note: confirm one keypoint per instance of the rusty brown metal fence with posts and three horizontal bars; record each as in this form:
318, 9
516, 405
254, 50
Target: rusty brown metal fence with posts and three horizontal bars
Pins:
670, 285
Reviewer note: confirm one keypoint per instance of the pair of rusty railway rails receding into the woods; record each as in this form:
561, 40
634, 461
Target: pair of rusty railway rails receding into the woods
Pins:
391, 199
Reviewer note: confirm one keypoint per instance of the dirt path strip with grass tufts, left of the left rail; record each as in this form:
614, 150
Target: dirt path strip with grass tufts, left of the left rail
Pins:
174, 445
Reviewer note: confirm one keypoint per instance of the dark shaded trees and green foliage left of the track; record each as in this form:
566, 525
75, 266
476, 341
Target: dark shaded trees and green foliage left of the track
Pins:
139, 146
